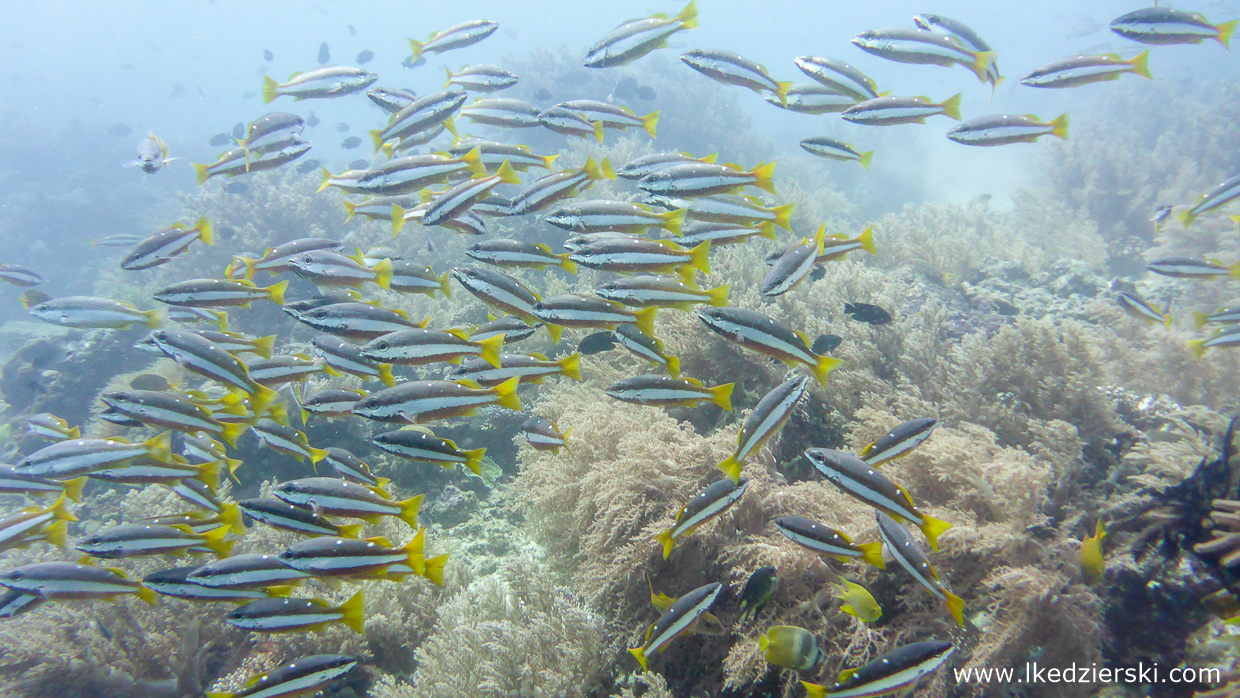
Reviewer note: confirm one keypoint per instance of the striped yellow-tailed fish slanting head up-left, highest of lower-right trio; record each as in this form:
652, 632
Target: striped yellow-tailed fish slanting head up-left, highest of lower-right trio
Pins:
860, 480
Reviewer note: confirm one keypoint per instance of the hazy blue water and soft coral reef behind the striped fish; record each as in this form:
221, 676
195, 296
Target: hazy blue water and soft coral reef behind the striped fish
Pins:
1061, 417
